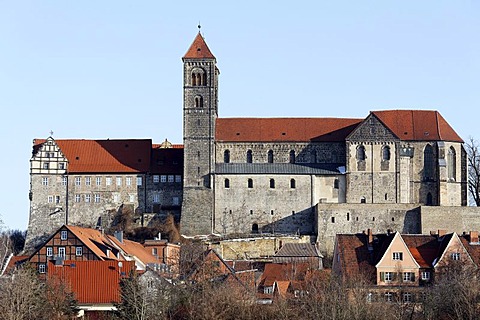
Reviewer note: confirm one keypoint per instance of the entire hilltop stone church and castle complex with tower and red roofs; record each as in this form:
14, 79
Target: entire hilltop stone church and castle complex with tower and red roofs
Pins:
254, 175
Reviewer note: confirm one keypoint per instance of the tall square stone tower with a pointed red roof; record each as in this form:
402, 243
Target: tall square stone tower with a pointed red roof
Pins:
200, 110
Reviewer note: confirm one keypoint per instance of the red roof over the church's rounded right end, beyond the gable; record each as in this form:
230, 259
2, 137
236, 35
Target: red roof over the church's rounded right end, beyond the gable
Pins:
422, 125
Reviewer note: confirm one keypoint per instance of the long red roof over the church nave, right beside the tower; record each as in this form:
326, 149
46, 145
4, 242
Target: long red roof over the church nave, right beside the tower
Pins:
284, 129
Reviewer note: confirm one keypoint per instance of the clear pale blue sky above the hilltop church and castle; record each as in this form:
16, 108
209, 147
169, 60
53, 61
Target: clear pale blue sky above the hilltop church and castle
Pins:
113, 69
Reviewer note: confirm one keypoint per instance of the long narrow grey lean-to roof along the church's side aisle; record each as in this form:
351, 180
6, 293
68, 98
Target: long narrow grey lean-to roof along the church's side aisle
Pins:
278, 168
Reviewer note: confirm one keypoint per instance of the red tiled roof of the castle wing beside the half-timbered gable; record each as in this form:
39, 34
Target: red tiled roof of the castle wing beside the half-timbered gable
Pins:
105, 155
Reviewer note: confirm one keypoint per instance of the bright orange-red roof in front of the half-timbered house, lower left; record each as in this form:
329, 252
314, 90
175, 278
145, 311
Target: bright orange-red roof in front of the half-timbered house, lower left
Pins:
92, 281
